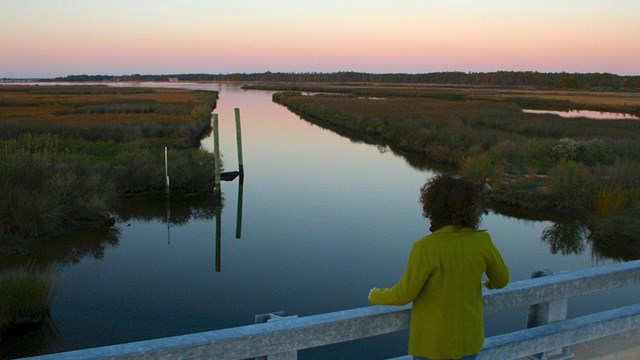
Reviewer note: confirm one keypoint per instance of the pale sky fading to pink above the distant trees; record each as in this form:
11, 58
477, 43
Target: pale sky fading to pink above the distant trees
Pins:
41, 38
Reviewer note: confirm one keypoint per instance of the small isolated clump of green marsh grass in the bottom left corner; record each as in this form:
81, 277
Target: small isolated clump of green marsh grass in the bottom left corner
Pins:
26, 296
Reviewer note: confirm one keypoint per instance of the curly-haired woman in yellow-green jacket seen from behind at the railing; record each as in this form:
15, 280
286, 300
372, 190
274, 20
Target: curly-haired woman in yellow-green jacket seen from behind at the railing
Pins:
443, 276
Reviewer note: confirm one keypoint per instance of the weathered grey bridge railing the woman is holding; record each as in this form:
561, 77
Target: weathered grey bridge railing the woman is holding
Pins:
546, 297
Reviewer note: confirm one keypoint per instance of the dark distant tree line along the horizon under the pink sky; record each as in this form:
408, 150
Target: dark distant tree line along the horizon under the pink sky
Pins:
535, 79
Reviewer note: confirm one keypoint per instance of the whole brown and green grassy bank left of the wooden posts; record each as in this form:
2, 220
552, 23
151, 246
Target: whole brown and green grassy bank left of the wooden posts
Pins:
67, 153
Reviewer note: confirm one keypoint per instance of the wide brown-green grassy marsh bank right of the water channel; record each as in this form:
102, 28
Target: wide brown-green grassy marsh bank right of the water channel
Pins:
583, 166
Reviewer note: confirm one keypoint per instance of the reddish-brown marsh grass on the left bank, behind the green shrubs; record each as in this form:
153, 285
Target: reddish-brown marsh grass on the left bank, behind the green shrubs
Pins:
103, 113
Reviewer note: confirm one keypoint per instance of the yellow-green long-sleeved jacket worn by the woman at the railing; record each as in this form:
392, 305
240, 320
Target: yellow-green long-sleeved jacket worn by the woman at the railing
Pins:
443, 278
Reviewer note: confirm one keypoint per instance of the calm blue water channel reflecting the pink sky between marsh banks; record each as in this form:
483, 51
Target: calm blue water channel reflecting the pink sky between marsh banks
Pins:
318, 220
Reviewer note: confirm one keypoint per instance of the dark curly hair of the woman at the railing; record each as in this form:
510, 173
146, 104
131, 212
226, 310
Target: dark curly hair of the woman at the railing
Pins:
447, 200
